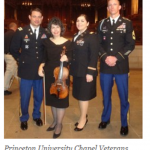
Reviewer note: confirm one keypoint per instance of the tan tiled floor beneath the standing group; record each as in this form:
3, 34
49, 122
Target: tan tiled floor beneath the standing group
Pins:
12, 124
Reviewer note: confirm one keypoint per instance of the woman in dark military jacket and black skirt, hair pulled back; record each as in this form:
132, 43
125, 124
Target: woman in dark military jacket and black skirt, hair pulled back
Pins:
84, 68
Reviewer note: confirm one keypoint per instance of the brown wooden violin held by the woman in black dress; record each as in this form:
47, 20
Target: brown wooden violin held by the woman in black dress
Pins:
59, 87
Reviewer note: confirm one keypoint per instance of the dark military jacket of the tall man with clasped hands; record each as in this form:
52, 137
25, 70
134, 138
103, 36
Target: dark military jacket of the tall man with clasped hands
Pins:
117, 40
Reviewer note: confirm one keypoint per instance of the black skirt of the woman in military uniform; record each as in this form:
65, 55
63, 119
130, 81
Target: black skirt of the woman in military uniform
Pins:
82, 90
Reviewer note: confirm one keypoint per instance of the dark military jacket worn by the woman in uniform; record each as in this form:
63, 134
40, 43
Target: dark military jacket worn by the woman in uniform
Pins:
85, 55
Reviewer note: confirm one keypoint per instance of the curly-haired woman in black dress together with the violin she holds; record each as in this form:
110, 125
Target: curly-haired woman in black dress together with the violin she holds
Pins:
56, 73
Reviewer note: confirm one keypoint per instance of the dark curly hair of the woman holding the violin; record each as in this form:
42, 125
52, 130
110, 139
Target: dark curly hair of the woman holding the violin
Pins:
56, 21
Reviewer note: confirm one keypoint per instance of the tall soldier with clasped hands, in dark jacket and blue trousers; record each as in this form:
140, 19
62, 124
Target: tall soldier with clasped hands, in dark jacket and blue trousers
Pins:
117, 41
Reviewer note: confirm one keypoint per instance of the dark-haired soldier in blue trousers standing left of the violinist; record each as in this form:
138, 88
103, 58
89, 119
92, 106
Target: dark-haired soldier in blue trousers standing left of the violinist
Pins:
29, 41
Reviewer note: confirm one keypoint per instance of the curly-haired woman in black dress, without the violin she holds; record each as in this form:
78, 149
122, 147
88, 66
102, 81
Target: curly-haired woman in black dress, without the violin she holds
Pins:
53, 49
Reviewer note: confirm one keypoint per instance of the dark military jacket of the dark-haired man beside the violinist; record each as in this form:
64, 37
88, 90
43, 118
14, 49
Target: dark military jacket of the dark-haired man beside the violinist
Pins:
28, 51
